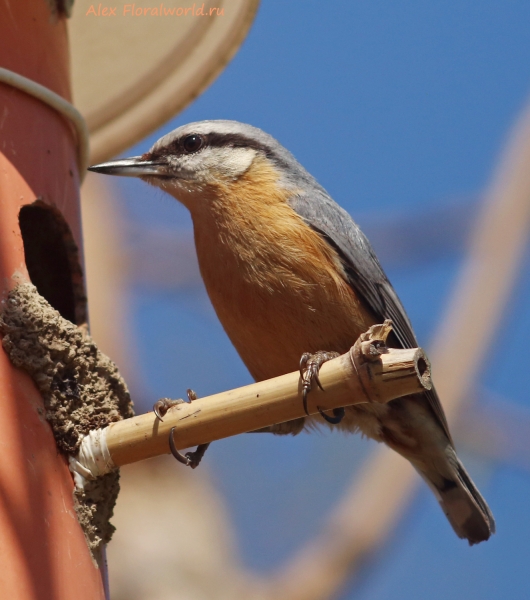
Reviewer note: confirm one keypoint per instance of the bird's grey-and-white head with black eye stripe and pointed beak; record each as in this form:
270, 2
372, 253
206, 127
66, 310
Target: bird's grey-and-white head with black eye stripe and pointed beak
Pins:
201, 157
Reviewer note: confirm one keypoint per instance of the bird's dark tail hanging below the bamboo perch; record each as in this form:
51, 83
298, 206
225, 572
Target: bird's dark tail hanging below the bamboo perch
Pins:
464, 506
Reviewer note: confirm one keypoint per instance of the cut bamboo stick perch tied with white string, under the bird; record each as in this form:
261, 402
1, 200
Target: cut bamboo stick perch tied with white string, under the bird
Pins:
369, 372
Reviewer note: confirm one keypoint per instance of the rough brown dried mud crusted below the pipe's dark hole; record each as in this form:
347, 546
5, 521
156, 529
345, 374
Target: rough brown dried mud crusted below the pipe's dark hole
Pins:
81, 388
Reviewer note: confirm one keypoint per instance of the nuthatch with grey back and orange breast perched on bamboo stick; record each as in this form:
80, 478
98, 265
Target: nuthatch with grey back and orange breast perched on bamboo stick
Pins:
290, 276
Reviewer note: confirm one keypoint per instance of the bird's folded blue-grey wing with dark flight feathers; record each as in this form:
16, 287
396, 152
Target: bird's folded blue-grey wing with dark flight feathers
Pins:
364, 272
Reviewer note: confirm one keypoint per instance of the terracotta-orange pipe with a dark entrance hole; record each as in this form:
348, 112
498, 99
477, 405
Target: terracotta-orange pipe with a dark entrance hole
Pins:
42, 548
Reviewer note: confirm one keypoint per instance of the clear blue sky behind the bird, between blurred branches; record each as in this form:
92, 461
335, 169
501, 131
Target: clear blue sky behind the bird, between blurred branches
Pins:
399, 110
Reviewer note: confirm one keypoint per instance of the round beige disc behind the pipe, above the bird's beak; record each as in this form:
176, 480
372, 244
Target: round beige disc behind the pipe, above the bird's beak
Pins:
137, 67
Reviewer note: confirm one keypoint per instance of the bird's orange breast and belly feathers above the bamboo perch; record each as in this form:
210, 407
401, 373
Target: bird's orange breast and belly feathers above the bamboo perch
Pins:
278, 288
